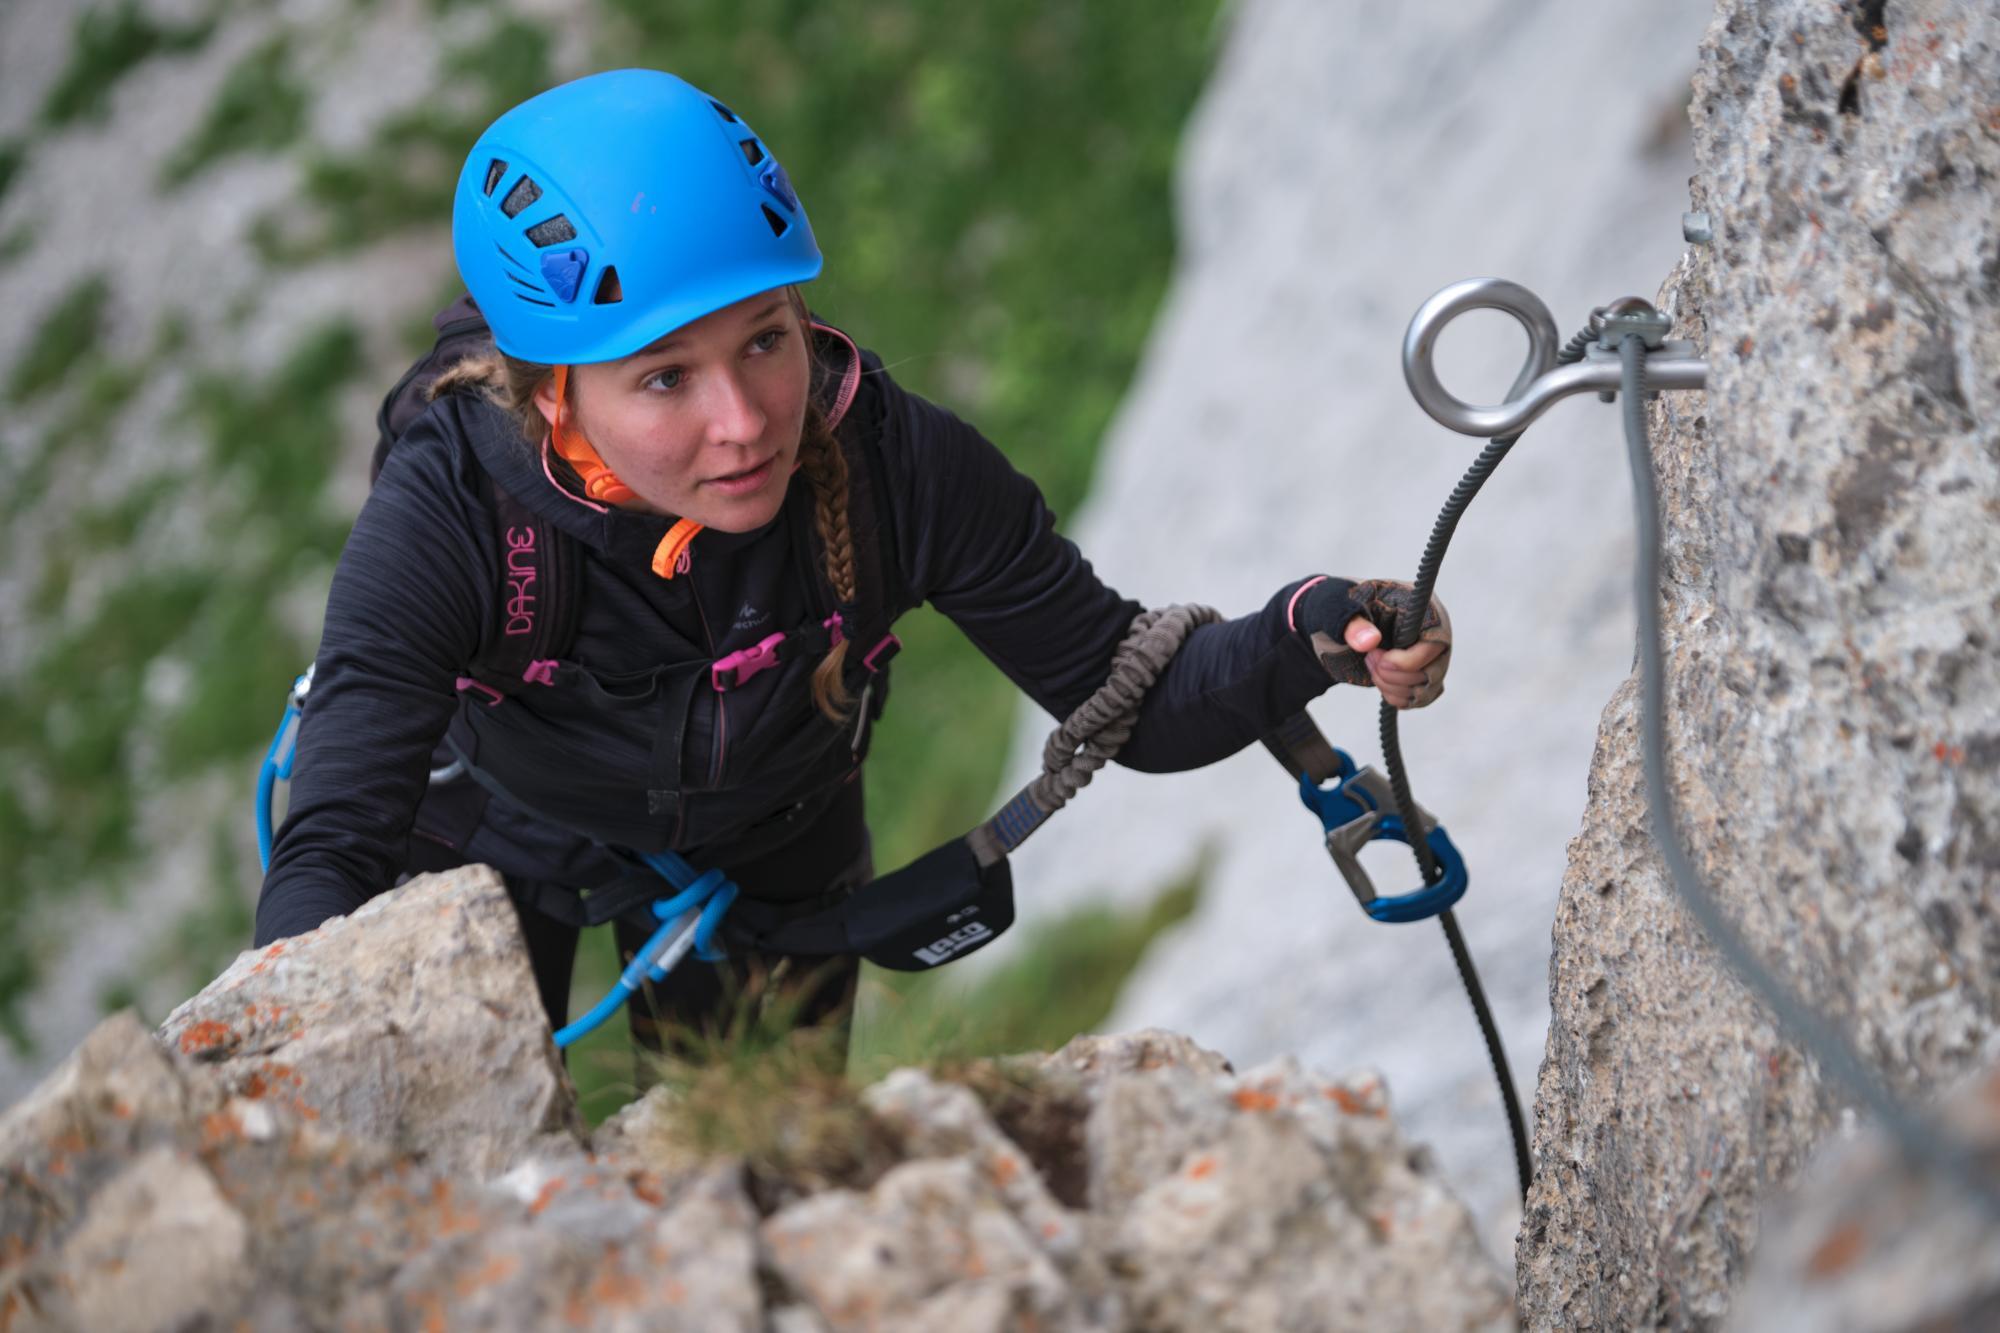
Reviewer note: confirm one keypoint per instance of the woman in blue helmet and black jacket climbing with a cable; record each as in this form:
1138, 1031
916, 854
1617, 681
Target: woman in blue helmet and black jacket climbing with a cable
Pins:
627, 585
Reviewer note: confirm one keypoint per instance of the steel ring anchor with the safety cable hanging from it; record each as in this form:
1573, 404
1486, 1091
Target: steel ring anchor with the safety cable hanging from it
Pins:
1625, 355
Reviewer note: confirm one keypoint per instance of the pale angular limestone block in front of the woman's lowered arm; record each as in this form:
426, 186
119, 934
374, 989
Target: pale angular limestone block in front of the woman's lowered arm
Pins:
413, 1022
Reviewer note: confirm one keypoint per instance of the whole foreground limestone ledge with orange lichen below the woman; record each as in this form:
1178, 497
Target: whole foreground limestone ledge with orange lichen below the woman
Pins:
357, 1130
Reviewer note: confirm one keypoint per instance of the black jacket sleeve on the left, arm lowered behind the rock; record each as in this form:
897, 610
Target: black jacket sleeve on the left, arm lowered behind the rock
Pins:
403, 617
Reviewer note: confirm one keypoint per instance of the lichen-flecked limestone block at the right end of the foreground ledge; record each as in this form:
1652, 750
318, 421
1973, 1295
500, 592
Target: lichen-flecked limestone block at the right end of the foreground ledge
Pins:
1291, 1204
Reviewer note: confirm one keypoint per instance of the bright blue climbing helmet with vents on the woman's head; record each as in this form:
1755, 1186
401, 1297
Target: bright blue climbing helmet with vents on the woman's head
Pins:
603, 215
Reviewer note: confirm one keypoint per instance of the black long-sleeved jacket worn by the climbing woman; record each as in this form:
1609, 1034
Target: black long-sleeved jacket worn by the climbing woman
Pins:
623, 750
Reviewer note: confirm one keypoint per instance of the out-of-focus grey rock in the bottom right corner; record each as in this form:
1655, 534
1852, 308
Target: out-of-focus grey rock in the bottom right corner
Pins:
1871, 1246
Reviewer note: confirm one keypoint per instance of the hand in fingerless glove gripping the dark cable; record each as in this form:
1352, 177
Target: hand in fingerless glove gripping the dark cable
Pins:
1349, 625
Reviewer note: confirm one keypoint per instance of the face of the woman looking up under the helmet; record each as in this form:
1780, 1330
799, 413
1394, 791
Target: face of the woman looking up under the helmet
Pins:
705, 423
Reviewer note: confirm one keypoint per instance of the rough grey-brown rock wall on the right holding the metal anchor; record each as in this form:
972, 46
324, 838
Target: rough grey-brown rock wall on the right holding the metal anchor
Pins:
1831, 617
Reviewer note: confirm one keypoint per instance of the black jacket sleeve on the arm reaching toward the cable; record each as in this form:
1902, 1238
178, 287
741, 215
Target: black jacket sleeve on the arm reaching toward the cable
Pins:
977, 541
